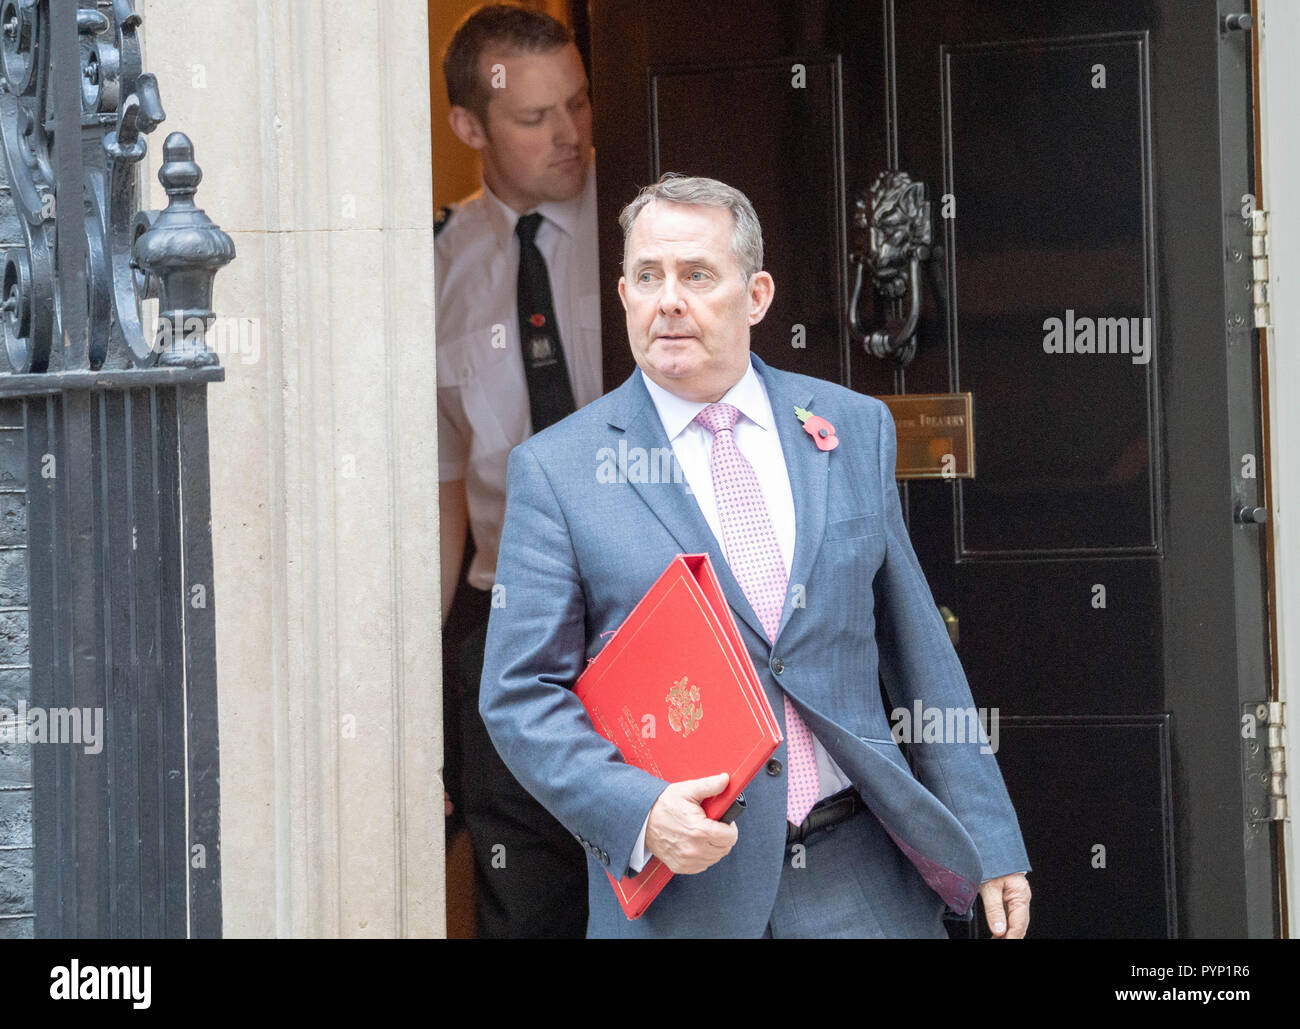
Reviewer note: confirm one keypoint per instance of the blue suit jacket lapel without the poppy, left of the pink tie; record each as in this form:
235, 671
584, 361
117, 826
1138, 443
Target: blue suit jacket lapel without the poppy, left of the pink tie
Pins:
636, 418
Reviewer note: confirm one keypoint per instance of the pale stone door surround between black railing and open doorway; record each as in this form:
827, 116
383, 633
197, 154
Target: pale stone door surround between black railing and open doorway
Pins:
311, 121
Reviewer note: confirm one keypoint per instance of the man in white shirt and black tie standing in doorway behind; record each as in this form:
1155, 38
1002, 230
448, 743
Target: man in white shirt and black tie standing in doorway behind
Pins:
518, 349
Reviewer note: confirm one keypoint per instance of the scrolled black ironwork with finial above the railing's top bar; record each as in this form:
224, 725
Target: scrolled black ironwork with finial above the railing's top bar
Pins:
72, 297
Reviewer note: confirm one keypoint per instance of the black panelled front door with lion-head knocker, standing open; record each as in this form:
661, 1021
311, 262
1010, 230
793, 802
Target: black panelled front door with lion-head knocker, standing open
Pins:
1086, 166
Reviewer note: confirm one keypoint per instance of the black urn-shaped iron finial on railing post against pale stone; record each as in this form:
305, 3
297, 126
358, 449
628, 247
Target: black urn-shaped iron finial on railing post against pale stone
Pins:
183, 251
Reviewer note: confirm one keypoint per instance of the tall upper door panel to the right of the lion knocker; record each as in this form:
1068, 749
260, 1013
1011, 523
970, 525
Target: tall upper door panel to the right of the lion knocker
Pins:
1059, 470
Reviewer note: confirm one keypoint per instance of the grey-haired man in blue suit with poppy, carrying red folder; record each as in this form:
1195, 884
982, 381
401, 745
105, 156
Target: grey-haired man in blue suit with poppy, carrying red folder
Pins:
842, 836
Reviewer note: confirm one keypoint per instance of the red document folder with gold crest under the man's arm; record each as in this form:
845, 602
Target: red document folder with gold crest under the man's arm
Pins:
675, 691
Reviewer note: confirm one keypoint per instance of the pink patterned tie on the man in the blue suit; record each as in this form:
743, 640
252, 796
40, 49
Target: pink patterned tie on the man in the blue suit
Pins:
756, 562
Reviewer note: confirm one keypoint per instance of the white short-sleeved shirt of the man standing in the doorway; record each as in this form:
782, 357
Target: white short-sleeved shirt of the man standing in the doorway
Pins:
483, 393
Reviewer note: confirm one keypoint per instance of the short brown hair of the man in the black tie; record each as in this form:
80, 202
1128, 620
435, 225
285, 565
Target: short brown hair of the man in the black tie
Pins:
506, 28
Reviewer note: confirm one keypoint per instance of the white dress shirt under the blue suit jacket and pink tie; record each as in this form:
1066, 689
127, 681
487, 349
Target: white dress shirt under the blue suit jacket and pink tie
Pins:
761, 445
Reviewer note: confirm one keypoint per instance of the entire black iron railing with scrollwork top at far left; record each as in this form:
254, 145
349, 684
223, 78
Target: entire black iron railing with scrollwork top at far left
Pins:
114, 416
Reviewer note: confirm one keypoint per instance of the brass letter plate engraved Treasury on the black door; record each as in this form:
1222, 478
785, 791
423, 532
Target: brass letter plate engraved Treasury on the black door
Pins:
937, 437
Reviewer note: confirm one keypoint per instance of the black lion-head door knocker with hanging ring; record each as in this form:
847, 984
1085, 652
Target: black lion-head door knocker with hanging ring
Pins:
895, 237
